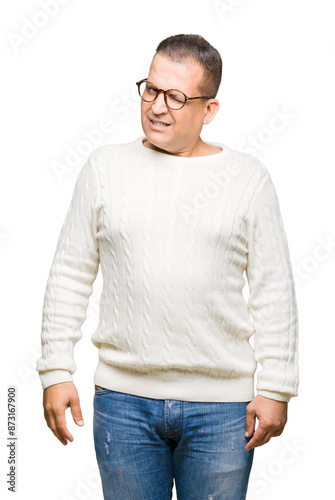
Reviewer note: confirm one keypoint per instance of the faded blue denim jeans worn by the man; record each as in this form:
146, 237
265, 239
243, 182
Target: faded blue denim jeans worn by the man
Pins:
141, 444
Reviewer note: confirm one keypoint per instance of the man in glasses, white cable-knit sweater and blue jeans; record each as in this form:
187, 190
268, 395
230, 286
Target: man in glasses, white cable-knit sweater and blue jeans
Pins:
174, 222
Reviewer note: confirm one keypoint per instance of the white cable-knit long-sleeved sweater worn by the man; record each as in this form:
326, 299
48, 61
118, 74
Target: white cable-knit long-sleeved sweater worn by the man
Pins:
173, 236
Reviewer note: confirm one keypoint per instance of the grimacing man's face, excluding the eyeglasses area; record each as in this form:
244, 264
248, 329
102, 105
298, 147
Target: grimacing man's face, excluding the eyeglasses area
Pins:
184, 125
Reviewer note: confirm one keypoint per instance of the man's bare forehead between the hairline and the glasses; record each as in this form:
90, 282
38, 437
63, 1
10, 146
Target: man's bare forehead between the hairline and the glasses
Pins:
168, 74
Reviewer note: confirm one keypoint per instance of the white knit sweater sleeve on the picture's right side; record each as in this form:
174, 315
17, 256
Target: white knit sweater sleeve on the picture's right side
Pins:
272, 299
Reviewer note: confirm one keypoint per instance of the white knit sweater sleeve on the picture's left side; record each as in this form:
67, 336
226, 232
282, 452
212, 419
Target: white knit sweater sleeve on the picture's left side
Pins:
70, 283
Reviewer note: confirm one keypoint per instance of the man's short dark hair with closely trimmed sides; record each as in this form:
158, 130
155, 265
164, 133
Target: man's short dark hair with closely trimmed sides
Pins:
195, 48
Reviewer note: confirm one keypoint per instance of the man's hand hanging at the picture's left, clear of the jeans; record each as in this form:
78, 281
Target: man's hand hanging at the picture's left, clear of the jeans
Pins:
56, 399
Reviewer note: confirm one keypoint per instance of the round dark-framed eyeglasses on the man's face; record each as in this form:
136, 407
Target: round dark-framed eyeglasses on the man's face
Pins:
174, 99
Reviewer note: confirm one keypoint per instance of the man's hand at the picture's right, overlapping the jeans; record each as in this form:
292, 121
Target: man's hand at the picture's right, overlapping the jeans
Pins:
272, 417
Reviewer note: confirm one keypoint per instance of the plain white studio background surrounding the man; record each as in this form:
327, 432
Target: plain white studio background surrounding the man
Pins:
79, 67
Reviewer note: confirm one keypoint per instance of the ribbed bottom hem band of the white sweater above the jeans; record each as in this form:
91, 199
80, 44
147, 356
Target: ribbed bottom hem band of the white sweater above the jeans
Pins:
189, 387
